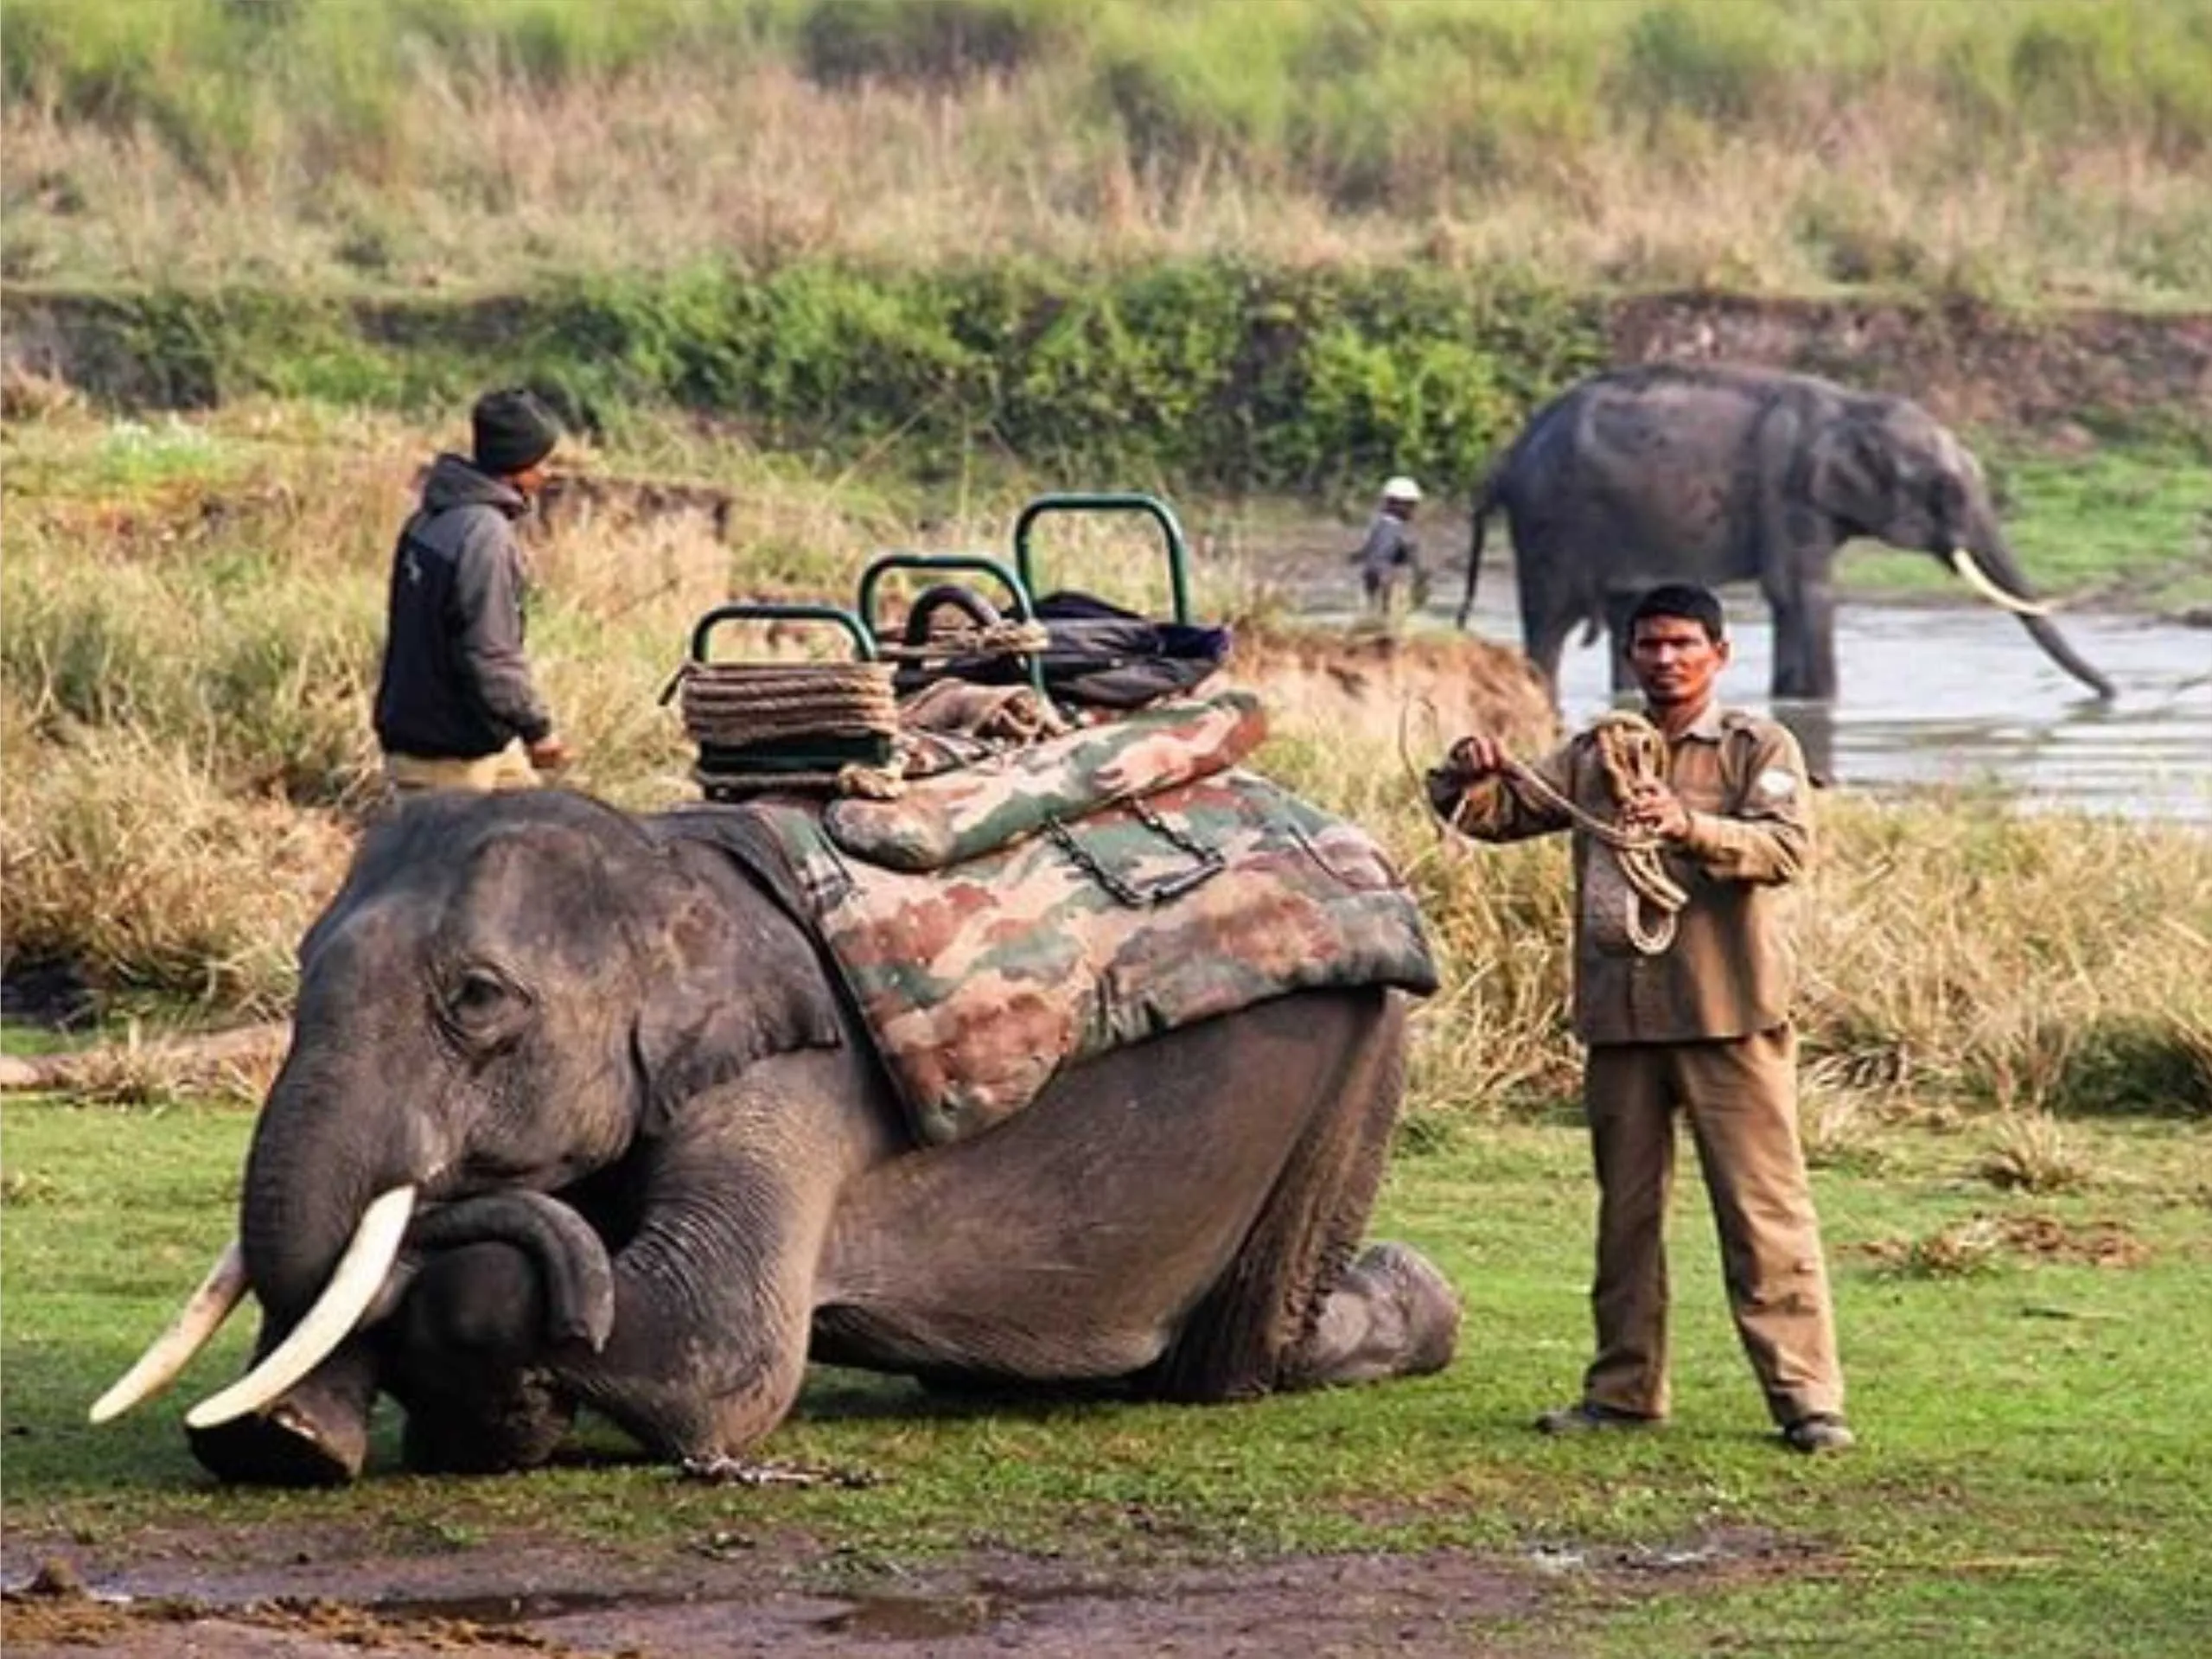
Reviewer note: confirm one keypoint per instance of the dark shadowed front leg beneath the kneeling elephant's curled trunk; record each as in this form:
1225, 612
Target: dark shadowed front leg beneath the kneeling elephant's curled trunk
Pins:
459, 1361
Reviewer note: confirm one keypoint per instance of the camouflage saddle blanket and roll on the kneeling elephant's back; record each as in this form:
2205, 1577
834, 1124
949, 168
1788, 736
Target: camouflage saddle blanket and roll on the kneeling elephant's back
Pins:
1098, 890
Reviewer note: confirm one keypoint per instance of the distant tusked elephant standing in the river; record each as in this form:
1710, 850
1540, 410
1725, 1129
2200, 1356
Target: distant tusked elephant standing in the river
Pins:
1682, 472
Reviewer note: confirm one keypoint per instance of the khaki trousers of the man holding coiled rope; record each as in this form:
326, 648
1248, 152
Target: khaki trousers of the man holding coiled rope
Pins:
1740, 1096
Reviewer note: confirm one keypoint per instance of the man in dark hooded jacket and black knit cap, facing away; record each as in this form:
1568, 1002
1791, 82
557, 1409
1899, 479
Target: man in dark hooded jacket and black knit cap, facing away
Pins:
457, 707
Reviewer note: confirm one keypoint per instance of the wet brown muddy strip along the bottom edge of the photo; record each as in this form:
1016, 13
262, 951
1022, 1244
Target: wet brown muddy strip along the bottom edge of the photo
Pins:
727, 1594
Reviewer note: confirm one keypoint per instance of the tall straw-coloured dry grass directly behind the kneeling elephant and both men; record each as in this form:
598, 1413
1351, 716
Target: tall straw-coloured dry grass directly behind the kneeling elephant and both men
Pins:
191, 627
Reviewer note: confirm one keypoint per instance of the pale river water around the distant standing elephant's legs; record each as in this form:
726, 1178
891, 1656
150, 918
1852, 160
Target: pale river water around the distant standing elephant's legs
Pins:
1959, 696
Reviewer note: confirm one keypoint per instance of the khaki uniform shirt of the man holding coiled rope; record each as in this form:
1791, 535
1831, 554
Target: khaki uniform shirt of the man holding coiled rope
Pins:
1731, 970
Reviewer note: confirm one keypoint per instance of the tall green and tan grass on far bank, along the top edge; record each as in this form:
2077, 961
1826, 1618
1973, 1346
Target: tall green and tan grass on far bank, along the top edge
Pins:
2036, 149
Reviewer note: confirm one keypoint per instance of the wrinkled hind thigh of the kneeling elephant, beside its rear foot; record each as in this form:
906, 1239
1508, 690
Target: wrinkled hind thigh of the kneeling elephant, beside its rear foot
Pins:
1249, 1333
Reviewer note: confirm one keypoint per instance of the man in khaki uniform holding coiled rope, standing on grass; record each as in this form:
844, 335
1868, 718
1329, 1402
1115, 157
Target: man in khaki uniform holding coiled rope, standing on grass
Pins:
1691, 1014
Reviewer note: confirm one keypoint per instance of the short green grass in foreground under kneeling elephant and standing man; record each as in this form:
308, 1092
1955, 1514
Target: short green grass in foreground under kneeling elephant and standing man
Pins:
2032, 1479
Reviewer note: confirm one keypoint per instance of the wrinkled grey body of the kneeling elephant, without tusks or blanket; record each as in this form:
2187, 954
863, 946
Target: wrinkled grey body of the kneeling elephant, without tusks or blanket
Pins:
656, 1169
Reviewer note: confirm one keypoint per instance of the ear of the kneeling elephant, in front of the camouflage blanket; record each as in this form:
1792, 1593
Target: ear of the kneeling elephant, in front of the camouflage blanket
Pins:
731, 981
